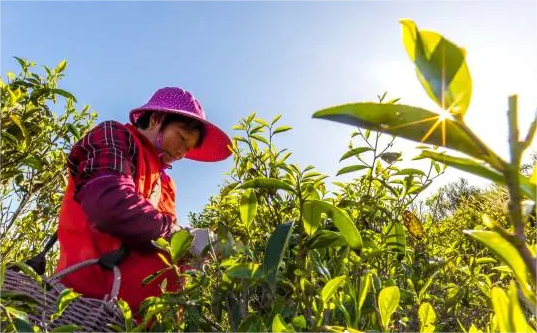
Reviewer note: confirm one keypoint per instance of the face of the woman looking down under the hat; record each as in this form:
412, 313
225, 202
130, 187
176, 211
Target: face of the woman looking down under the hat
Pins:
177, 141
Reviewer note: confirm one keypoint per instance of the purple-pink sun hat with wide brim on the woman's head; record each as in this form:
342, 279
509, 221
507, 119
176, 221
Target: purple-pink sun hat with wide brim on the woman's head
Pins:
215, 144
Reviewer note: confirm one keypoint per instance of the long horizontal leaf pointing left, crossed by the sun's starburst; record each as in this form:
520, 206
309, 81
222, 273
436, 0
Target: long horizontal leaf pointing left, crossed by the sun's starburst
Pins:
405, 121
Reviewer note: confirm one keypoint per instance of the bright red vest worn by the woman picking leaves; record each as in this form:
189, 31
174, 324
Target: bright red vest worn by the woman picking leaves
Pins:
80, 240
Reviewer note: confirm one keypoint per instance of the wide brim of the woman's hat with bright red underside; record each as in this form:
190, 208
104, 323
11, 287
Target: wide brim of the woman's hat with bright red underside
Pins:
215, 144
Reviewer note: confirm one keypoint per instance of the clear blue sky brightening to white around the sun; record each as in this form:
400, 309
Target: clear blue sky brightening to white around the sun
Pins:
278, 56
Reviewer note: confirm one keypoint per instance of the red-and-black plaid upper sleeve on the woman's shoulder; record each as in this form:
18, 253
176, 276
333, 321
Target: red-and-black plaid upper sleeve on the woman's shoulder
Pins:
107, 148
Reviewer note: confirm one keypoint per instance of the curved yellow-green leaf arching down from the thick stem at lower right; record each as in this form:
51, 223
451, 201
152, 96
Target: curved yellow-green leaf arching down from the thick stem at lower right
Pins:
505, 250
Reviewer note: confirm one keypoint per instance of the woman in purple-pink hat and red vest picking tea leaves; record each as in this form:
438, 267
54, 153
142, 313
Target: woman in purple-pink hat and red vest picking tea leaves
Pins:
119, 196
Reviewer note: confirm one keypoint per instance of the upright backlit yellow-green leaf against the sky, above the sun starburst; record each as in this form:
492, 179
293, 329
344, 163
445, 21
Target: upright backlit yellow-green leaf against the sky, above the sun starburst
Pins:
440, 66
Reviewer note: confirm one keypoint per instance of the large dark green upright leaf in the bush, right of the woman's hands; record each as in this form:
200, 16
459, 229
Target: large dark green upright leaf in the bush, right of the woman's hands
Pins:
276, 247
